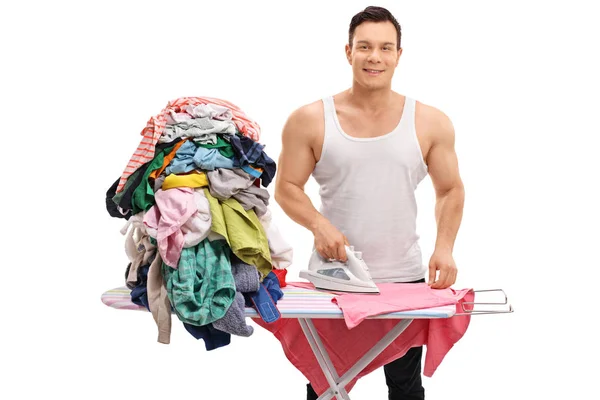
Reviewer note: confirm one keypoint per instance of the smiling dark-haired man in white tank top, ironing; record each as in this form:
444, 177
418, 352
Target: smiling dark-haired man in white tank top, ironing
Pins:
368, 147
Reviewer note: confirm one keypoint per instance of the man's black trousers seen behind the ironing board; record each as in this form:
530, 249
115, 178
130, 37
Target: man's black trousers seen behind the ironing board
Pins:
402, 376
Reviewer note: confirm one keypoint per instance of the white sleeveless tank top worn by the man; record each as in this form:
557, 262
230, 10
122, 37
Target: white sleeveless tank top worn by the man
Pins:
367, 189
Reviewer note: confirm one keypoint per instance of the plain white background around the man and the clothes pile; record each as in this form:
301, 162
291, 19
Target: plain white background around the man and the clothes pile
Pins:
519, 80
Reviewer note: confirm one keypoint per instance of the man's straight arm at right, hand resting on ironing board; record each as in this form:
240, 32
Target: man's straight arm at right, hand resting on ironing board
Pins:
450, 194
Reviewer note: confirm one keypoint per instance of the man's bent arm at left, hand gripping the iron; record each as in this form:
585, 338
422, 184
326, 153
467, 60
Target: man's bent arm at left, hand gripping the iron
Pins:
296, 163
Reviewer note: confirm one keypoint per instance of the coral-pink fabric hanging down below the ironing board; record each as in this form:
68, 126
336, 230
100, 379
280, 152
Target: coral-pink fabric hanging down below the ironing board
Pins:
346, 346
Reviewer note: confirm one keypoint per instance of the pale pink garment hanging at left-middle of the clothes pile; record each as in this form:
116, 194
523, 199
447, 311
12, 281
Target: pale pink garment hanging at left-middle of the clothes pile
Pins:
172, 210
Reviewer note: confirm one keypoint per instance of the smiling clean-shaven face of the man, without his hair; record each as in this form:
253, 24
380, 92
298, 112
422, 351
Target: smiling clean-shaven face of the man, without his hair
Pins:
373, 55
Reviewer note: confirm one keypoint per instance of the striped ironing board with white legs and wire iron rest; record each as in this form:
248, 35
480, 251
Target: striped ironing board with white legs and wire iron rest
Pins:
307, 304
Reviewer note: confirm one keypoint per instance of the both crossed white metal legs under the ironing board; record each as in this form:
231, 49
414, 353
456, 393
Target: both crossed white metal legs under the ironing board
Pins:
337, 384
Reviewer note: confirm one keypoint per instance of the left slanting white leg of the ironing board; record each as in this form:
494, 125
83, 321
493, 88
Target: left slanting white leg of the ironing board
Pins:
324, 361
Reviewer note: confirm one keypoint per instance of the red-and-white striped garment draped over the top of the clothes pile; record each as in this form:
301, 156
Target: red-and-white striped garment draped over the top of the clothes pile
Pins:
156, 126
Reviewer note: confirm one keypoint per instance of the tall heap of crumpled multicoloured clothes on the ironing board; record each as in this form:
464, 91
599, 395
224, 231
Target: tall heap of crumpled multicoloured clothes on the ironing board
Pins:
199, 234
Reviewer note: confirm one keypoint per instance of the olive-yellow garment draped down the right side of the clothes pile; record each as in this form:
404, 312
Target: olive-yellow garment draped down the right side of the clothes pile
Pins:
243, 231
